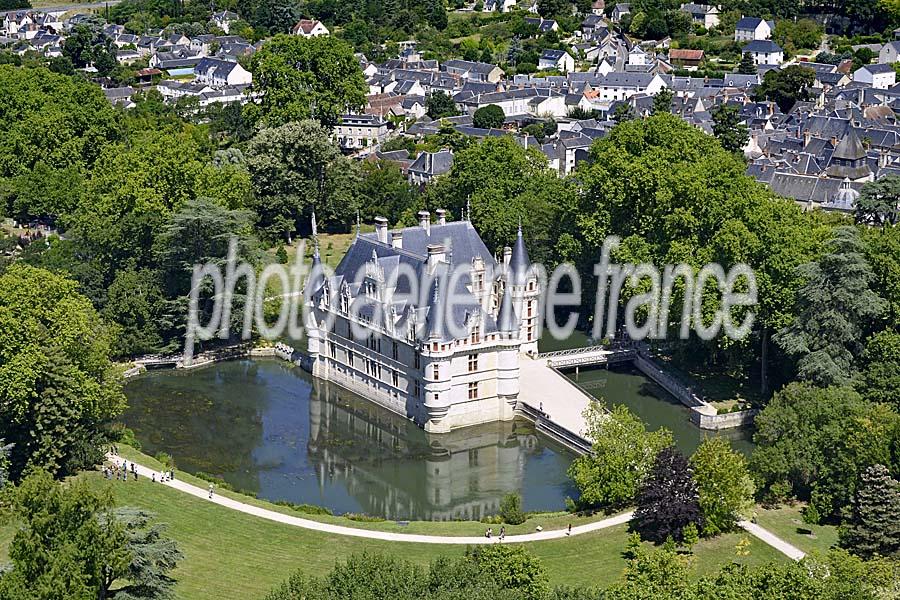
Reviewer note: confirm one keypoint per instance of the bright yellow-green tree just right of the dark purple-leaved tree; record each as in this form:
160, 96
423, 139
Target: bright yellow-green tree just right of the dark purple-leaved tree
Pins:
724, 485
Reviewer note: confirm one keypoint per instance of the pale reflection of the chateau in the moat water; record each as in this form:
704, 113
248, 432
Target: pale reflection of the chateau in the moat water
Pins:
396, 470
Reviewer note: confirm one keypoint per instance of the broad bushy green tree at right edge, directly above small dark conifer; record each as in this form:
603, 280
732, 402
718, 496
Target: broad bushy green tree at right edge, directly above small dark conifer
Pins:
819, 441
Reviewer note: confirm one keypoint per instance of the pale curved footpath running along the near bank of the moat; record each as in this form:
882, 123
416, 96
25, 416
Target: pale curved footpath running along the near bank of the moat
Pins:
386, 536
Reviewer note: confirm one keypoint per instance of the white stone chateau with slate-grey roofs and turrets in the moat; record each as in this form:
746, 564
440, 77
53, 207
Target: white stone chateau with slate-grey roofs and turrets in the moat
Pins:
443, 322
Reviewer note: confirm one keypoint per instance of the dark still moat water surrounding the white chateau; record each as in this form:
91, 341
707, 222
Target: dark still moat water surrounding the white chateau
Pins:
270, 428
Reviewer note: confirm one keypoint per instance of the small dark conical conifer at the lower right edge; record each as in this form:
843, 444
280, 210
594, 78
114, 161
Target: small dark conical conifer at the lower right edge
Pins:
873, 526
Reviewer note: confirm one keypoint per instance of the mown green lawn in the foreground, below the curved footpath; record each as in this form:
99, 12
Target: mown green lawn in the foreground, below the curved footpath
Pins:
233, 555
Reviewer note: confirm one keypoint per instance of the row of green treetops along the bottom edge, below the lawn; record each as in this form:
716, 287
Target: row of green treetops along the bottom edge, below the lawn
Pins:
512, 573
